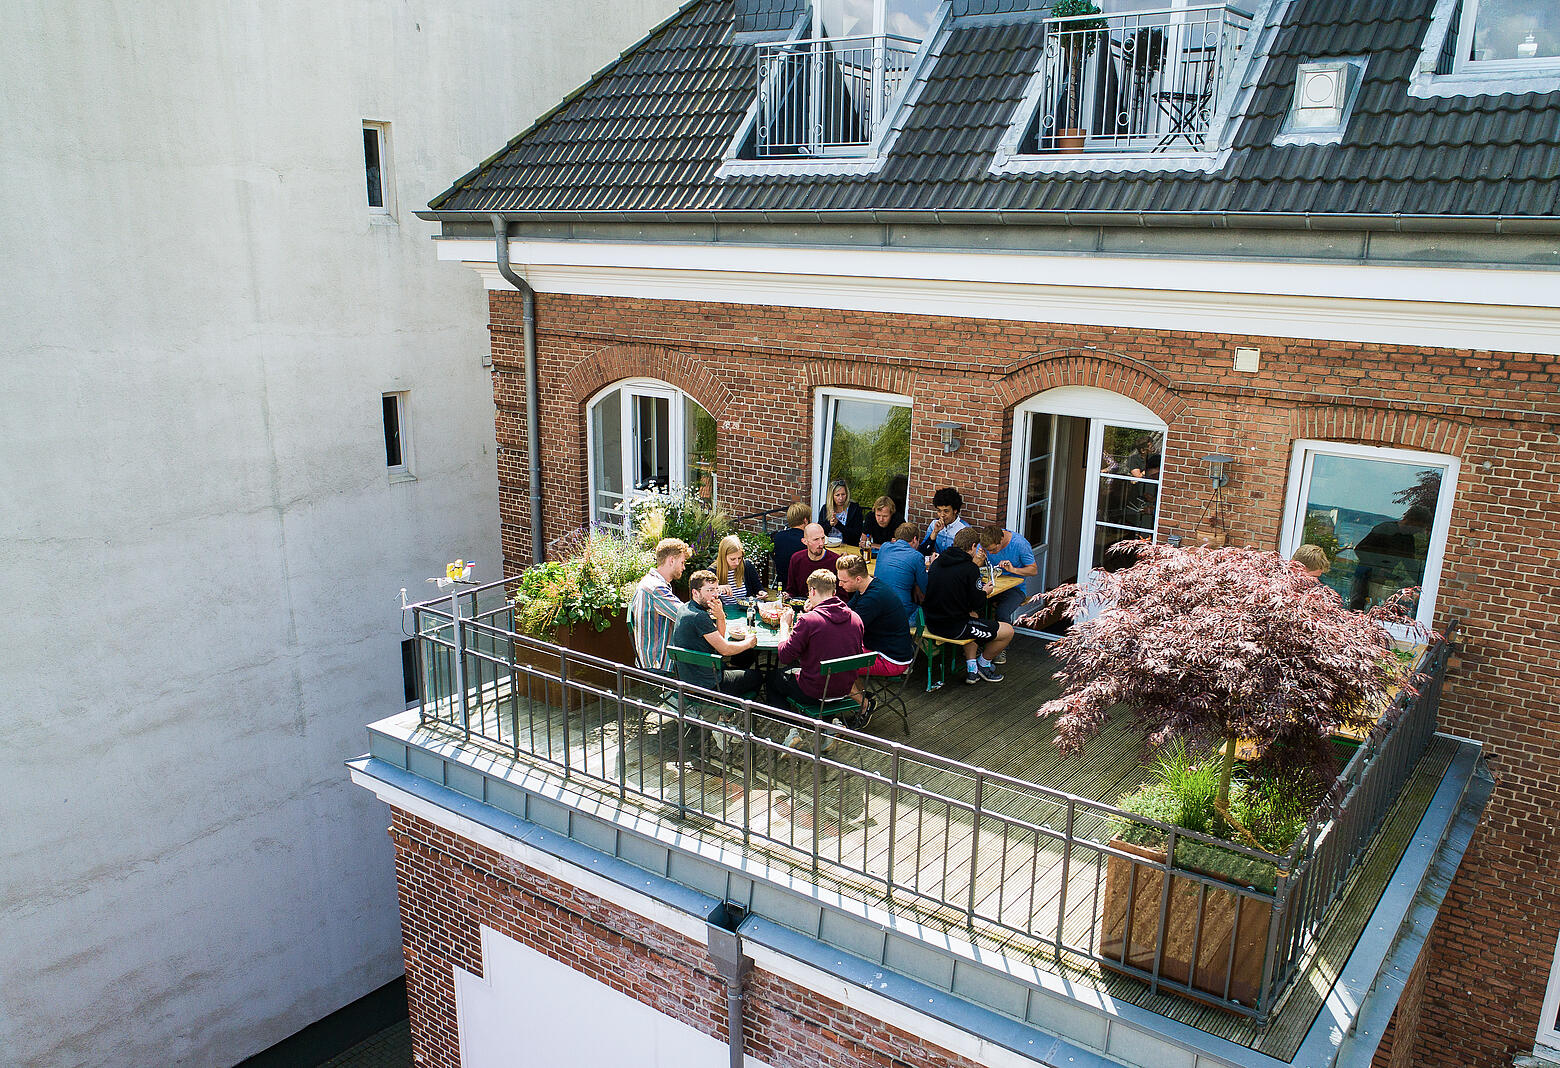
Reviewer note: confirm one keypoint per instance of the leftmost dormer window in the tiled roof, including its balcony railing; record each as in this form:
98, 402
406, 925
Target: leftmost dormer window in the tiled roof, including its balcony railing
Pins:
832, 91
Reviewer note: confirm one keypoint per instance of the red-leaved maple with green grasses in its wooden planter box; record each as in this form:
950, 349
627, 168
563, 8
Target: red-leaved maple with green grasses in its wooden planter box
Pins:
1210, 648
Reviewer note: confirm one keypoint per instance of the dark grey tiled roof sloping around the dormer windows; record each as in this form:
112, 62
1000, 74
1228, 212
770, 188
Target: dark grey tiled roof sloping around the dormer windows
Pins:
648, 135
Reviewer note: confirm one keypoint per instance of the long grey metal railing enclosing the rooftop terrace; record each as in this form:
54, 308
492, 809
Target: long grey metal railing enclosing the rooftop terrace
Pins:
931, 835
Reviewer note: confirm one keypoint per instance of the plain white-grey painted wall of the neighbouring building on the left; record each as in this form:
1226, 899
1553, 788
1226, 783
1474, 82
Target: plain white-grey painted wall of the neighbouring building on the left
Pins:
200, 551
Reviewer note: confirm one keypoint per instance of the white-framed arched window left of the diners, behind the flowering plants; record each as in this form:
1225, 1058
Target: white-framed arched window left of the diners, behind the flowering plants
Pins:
647, 436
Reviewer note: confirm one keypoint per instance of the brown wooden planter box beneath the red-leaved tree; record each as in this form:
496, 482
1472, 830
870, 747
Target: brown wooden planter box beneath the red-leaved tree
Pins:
1140, 899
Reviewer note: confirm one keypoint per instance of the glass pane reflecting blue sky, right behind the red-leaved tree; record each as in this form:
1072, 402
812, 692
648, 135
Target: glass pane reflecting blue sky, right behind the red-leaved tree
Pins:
1375, 520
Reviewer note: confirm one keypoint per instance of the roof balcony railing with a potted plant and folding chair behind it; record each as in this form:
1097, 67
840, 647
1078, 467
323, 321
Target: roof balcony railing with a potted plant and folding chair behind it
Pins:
1140, 80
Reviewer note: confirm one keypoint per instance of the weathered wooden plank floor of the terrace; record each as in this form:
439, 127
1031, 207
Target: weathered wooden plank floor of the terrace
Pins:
932, 838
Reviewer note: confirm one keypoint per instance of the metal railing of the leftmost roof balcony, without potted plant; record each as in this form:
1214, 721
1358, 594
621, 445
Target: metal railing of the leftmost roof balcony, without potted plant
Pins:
828, 96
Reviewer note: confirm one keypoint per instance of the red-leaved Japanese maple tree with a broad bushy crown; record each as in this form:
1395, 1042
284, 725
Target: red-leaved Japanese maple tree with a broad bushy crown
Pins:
1219, 645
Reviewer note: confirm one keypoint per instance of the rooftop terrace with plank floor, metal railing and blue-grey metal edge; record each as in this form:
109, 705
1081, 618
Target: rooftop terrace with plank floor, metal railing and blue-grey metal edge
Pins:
968, 827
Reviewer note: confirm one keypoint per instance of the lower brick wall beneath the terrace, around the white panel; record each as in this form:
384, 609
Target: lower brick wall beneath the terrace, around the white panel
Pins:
452, 888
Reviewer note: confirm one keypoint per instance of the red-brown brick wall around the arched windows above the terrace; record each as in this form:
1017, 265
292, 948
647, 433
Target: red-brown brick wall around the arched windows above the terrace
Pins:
757, 369
